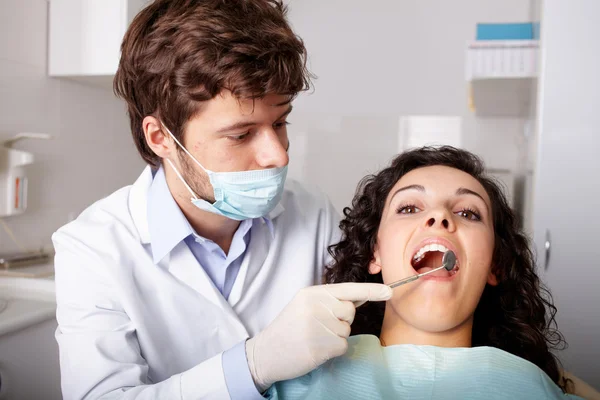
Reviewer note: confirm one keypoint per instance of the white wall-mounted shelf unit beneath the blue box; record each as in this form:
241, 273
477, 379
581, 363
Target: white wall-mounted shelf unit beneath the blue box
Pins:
502, 76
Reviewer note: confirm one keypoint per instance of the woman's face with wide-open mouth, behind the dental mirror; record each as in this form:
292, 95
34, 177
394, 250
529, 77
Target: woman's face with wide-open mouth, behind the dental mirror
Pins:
429, 210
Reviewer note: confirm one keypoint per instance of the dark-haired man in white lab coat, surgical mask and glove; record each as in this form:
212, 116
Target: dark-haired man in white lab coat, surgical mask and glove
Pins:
197, 281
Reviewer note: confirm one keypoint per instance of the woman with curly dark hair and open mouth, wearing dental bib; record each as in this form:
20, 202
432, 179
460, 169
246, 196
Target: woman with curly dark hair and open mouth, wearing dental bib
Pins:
483, 330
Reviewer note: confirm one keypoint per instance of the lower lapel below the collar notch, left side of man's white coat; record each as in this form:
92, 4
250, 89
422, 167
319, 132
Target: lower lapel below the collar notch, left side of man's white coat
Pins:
184, 266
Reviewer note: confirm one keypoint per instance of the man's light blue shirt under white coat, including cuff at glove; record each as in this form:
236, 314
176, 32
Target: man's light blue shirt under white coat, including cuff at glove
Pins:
168, 227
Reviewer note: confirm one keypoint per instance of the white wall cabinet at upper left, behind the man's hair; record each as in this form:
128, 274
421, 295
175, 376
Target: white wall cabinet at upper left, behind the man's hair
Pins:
85, 37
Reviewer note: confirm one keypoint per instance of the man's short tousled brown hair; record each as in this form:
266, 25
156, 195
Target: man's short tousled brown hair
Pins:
177, 54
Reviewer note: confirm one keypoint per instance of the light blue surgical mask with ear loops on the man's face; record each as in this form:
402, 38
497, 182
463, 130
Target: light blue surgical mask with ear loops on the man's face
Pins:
238, 195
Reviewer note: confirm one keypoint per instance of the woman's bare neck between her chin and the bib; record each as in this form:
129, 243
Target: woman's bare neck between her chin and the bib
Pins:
397, 331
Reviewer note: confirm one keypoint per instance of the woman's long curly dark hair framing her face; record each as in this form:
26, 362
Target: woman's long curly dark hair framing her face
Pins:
517, 315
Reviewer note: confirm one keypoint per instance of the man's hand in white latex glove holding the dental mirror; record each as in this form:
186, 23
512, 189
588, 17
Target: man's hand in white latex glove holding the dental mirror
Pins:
312, 329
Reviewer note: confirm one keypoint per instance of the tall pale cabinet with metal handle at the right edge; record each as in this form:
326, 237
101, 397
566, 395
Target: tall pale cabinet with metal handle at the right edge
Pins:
567, 186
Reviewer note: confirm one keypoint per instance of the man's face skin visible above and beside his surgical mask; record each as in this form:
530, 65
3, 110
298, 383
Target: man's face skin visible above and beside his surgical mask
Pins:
232, 134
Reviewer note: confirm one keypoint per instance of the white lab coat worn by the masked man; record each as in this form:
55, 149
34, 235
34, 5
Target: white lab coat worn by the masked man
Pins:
130, 328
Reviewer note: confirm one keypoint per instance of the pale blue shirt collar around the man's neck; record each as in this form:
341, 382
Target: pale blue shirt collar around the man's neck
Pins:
167, 224
